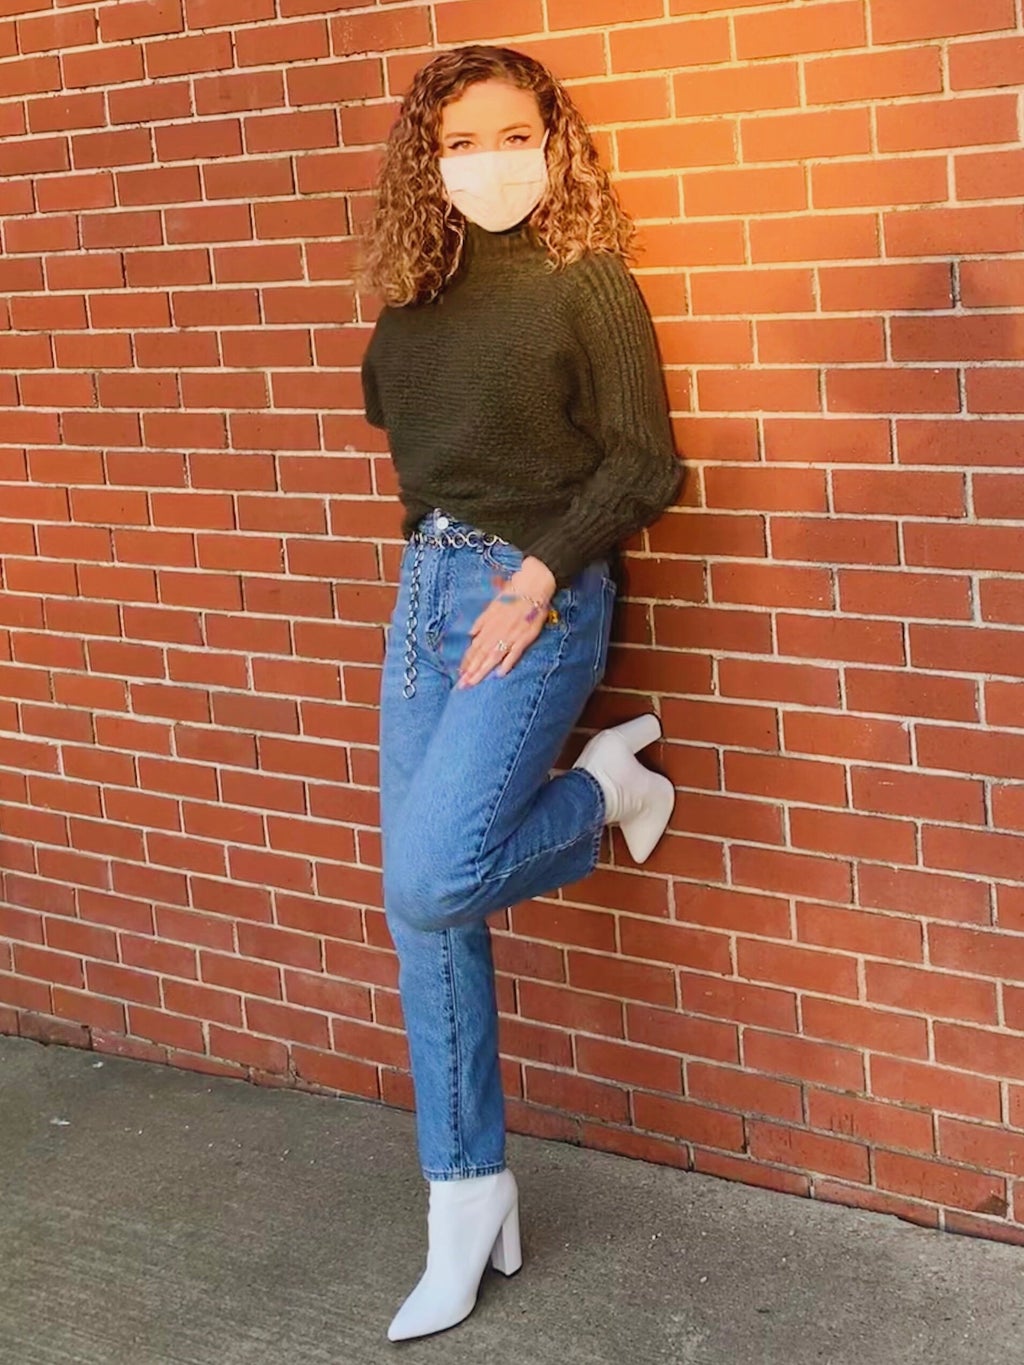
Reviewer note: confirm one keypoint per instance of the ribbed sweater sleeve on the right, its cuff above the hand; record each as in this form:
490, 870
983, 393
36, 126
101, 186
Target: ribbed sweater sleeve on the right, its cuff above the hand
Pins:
640, 474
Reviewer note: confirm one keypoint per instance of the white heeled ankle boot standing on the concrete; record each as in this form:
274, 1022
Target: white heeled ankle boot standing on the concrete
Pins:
469, 1221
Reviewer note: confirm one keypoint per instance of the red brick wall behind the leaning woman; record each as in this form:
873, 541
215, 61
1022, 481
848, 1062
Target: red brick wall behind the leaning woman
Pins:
819, 982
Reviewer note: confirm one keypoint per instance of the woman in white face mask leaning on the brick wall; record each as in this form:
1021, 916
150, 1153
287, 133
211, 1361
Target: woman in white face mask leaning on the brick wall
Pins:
515, 372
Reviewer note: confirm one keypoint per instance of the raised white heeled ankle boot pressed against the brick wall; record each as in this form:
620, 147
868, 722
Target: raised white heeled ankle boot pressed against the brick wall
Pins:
636, 799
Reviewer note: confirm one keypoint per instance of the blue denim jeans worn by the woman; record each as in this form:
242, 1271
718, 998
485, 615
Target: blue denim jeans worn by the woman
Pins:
473, 822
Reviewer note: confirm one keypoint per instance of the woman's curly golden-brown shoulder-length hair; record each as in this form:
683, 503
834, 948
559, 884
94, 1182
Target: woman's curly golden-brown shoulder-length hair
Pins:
414, 242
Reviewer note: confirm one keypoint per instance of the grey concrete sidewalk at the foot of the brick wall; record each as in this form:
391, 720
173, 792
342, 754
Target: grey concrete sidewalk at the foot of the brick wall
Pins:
152, 1217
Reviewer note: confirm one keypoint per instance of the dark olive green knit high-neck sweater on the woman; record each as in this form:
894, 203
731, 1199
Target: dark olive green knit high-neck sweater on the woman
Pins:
526, 402
